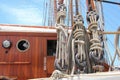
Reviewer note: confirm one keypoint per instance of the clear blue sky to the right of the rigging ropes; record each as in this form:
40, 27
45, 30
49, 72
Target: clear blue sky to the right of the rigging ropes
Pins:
112, 22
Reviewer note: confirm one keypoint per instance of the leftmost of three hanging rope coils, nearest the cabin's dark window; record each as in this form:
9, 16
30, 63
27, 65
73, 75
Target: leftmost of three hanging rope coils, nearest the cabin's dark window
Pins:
62, 34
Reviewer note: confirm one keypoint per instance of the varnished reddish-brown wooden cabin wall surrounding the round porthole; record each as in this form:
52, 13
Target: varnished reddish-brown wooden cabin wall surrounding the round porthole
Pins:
25, 65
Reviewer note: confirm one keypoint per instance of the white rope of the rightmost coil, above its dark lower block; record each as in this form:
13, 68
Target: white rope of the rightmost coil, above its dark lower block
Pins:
93, 28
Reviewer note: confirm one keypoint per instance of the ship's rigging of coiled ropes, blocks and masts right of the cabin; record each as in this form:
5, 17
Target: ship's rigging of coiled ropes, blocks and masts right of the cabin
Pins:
83, 49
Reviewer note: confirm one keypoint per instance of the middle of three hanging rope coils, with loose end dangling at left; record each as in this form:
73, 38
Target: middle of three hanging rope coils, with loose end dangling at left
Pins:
78, 51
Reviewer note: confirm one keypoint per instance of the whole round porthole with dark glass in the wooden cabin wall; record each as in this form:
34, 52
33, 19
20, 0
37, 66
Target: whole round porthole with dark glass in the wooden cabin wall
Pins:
23, 45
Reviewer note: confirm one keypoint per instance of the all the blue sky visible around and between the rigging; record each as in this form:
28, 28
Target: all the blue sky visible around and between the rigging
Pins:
32, 12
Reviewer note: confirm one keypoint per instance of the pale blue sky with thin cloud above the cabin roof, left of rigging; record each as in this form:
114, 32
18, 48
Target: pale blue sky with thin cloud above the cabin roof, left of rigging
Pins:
26, 12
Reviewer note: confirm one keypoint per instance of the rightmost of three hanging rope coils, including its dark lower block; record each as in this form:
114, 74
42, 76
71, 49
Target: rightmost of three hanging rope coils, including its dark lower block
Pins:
95, 54
